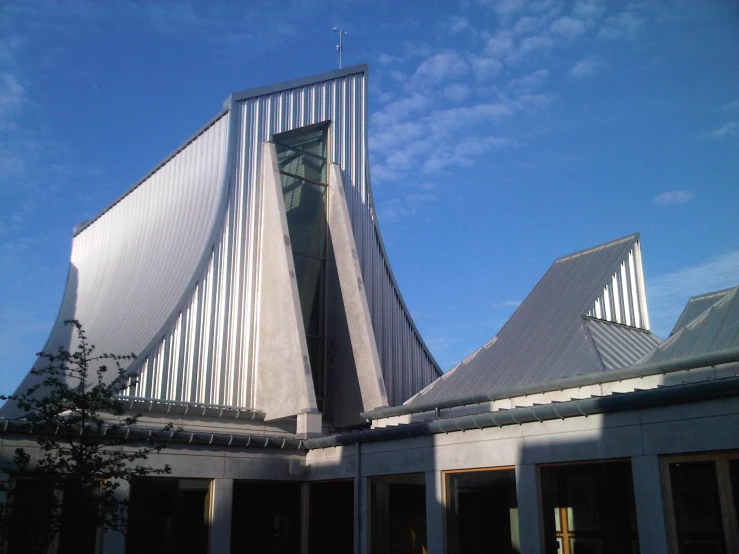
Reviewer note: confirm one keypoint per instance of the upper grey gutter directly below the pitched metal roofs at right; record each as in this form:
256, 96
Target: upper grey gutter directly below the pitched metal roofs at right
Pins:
695, 361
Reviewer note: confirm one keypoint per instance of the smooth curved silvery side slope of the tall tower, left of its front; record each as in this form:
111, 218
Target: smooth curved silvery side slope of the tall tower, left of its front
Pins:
132, 264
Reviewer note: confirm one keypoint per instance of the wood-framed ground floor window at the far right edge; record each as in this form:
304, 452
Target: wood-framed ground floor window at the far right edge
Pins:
703, 501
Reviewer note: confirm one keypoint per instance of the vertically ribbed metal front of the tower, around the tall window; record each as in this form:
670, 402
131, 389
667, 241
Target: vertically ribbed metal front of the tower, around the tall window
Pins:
207, 354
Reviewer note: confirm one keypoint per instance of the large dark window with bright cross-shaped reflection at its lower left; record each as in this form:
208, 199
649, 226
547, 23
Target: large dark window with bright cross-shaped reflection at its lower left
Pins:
589, 508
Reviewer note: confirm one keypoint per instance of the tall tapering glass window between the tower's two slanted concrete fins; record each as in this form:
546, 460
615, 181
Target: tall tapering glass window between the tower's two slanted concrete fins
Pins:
302, 159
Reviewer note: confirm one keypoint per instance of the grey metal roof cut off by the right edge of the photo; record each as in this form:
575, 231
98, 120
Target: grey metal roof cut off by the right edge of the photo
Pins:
716, 328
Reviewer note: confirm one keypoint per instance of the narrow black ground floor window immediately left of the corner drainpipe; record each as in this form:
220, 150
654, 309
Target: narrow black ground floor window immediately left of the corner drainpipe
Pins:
331, 517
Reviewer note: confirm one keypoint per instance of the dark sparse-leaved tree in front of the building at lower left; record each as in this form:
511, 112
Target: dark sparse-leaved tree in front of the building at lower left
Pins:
87, 443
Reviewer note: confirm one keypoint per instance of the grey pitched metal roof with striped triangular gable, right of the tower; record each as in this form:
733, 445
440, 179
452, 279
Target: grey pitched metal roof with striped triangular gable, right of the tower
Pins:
548, 337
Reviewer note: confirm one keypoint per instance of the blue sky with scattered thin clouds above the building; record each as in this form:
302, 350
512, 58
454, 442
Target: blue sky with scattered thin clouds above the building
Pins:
503, 134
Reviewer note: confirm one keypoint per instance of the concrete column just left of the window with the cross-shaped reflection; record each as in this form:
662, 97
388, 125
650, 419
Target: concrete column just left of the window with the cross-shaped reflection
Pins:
528, 497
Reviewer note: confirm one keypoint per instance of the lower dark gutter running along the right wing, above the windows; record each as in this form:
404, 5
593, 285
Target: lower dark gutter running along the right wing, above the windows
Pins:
665, 396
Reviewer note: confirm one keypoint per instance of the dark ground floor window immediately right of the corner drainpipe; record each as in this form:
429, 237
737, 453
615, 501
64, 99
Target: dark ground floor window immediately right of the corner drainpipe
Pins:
398, 514
